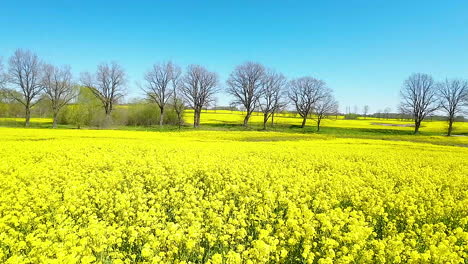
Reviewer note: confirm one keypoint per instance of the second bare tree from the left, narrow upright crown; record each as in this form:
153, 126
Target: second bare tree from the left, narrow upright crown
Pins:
58, 88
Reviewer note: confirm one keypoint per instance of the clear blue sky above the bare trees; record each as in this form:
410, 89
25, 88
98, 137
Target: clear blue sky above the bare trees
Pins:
362, 49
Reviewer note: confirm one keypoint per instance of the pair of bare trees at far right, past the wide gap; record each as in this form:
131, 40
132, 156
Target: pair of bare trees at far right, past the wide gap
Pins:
422, 96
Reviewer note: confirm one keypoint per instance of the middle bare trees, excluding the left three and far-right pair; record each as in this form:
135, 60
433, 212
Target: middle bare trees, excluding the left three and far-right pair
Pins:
252, 86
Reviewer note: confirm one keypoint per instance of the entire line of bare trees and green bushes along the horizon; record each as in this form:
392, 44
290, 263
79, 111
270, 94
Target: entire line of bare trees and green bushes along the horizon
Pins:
32, 85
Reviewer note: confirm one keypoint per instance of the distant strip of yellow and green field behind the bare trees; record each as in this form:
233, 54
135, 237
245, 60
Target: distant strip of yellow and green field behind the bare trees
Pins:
336, 126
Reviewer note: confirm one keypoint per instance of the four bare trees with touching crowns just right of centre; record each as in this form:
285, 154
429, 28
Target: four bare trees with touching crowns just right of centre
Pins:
255, 87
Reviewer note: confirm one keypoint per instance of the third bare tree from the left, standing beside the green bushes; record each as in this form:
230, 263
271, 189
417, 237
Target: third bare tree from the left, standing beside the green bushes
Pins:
107, 84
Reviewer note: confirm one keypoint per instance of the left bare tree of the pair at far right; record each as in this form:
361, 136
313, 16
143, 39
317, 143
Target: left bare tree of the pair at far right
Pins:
419, 97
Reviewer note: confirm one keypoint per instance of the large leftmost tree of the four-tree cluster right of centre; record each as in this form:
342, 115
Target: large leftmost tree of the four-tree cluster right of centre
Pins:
245, 85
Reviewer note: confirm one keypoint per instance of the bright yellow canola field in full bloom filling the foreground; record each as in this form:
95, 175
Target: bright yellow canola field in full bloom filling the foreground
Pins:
97, 196
